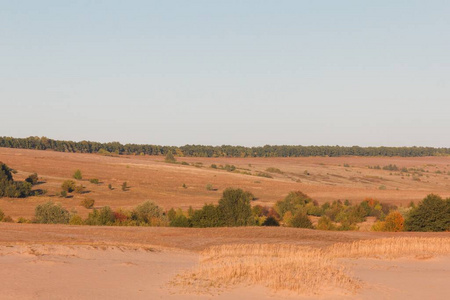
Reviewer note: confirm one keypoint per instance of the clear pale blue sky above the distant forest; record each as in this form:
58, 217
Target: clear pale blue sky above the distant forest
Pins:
237, 72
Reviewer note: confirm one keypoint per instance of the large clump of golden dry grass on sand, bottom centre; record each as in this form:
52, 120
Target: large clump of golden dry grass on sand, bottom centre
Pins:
279, 267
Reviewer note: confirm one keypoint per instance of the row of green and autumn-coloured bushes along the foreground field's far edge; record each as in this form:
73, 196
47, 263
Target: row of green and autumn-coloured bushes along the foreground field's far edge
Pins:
234, 209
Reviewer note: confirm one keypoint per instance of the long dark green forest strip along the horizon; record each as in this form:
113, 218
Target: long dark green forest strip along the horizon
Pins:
116, 148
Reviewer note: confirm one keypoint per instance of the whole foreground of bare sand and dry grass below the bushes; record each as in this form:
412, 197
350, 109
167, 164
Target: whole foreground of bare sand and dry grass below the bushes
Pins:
78, 262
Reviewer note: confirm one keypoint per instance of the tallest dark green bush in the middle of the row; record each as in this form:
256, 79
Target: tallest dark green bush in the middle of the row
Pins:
234, 208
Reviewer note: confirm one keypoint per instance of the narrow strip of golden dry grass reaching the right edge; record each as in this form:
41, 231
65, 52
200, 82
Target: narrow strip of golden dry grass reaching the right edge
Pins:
391, 248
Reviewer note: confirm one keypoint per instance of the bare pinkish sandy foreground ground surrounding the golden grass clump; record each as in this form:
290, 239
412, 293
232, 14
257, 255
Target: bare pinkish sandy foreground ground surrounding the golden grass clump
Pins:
67, 262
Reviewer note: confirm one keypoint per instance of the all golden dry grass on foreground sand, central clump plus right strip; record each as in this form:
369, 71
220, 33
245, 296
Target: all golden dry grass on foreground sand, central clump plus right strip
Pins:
300, 269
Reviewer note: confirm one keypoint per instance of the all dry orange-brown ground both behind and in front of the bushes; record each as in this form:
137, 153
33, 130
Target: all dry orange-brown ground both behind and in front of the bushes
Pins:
101, 262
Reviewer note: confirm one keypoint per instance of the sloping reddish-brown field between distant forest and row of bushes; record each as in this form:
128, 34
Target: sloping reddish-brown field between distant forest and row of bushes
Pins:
150, 178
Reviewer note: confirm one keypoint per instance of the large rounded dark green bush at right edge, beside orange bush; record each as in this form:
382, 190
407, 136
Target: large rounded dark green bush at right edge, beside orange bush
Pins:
431, 214
